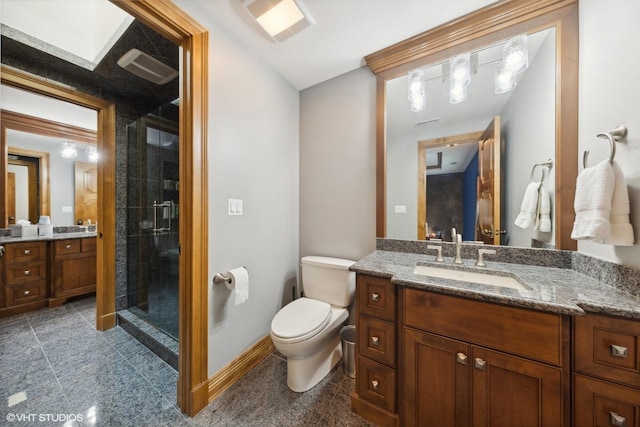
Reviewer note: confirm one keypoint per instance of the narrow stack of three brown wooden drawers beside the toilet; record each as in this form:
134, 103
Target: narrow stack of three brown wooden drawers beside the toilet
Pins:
375, 396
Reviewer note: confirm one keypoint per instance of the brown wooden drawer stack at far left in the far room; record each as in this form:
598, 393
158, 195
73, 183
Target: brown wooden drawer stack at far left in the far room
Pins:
24, 271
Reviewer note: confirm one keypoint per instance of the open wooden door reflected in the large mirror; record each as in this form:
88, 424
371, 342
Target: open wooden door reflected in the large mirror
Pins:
489, 184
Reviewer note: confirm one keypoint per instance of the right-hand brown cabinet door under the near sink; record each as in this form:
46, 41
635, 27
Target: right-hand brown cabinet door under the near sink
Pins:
511, 391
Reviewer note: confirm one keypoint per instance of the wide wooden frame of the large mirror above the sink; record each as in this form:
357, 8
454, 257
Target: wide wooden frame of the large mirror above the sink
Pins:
488, 25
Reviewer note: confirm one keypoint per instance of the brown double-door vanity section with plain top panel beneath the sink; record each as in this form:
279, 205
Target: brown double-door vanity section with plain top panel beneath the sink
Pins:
467, 362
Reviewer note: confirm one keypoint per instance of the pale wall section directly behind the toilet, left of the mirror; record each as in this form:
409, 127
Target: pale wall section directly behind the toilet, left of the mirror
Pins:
337, 167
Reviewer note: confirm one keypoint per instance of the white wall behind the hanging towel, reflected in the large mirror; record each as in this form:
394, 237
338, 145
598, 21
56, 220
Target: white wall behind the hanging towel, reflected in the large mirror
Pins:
528, 127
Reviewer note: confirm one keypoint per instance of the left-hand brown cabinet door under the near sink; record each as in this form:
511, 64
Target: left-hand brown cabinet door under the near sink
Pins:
436, 380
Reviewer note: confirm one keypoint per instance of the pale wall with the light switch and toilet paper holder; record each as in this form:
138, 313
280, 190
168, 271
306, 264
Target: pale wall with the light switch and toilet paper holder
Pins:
253, 156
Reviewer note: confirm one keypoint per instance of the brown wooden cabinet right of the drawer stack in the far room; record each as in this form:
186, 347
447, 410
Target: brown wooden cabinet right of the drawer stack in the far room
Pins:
73, 268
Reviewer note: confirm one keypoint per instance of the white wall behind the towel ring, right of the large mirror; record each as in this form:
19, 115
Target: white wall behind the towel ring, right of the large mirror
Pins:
609, 96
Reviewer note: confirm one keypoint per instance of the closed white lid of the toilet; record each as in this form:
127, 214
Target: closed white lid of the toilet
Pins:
302, 317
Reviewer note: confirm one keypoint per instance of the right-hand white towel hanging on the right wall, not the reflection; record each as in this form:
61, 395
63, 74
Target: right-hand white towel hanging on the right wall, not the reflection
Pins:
621, 230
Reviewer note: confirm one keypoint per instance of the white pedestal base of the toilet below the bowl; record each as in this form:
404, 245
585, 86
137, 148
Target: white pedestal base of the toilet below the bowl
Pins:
303, 374
